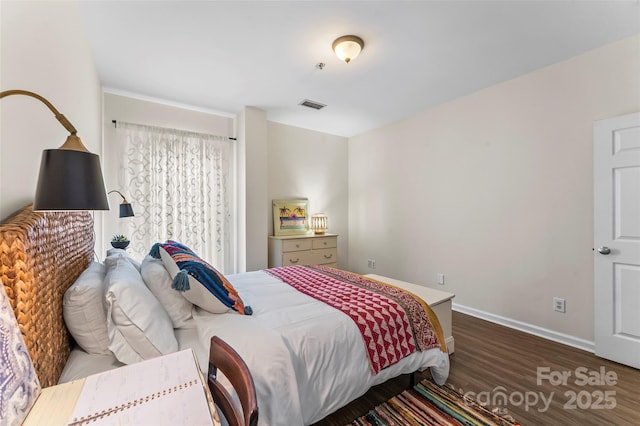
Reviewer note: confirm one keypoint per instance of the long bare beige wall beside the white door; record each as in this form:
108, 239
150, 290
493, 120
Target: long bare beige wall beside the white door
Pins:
495, 190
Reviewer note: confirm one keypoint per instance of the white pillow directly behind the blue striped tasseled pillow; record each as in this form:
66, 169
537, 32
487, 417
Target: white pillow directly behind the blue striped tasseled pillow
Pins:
158, 280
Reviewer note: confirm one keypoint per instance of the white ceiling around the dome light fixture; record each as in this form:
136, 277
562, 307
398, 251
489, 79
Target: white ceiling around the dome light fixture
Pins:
224, 55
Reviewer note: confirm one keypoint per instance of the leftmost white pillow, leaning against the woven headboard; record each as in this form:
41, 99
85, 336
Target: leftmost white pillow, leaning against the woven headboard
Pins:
84, 310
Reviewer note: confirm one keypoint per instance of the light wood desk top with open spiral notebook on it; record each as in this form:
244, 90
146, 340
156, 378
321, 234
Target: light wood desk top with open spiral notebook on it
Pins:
163, 390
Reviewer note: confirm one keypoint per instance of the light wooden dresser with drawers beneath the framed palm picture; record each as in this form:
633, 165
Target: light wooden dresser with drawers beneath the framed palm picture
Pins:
303, 250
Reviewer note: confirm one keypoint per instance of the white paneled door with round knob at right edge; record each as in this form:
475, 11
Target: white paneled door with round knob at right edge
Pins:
617, 238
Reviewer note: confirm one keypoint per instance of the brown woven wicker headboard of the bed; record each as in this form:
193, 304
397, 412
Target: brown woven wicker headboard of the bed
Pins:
41, 255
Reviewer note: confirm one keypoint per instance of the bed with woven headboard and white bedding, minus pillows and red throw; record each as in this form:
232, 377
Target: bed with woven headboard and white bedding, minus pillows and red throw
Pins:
301, 376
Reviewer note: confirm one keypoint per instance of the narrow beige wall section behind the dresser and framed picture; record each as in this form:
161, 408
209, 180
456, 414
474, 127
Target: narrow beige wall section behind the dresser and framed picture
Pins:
308, 164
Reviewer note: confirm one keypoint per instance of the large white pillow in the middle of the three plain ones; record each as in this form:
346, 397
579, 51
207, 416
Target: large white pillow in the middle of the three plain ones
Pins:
139, 327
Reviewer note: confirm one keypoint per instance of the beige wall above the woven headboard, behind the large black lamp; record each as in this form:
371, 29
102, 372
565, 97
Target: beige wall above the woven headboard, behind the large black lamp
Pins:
51, 58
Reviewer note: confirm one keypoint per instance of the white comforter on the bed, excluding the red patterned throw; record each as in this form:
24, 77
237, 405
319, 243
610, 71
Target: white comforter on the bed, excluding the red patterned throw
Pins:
301, 375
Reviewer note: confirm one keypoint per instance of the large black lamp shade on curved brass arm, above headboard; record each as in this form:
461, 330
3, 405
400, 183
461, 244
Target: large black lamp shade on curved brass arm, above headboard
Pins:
70, 180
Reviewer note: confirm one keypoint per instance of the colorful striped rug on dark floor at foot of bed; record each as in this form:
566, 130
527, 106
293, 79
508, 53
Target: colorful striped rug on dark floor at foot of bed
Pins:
430, 404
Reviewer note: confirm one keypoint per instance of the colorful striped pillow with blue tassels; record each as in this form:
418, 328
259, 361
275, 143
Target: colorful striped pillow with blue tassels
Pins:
199, 281
